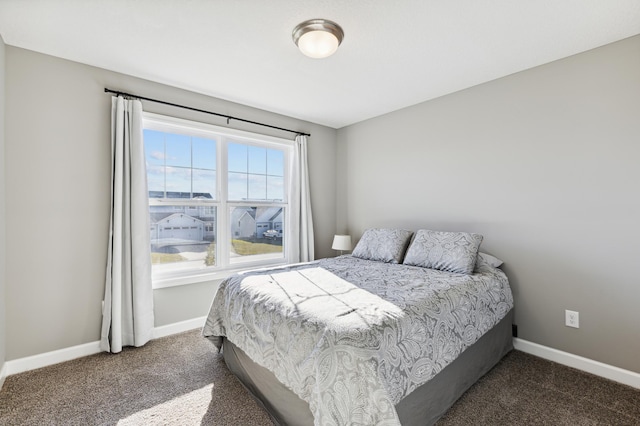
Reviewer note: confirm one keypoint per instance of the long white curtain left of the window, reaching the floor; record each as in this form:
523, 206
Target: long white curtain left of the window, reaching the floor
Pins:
127, 317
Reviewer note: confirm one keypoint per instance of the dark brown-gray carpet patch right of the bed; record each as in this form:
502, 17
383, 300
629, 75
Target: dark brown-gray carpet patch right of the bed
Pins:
526, 390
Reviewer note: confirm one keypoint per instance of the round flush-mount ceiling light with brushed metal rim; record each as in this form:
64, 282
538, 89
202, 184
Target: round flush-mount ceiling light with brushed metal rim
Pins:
318, 38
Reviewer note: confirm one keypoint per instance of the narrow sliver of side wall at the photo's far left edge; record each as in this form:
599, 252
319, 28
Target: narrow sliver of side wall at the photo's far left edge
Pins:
2, 211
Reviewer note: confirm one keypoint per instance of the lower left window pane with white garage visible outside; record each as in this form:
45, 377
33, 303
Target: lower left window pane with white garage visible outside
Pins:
183, 234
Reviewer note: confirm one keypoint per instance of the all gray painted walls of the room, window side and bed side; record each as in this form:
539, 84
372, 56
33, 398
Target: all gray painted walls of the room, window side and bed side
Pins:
544, 163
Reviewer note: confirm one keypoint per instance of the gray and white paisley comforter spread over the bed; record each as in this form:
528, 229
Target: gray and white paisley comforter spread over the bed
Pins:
352, 337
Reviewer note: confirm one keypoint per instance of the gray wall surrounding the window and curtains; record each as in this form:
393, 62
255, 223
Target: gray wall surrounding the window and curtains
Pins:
57, 197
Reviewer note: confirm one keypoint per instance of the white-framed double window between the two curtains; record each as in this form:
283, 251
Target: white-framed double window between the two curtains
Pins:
217, 199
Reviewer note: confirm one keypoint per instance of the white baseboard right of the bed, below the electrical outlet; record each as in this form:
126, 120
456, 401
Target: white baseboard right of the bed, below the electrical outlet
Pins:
627, 377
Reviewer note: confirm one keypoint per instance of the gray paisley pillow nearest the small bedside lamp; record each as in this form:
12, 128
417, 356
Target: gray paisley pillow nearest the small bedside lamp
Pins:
384, 245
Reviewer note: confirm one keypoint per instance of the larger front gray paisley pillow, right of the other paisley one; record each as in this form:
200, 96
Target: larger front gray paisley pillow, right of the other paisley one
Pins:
446, 251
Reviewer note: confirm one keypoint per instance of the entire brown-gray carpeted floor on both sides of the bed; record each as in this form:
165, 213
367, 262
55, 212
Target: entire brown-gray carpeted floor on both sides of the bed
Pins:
181, 380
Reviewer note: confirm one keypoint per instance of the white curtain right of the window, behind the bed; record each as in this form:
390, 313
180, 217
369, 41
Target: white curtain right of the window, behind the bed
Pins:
301, 241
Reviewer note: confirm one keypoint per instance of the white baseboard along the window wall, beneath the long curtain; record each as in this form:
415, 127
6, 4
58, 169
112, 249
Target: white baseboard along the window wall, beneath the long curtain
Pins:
21, 365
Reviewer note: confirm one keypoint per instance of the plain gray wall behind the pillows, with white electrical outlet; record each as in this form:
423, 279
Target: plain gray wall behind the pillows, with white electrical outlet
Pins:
543, 163
